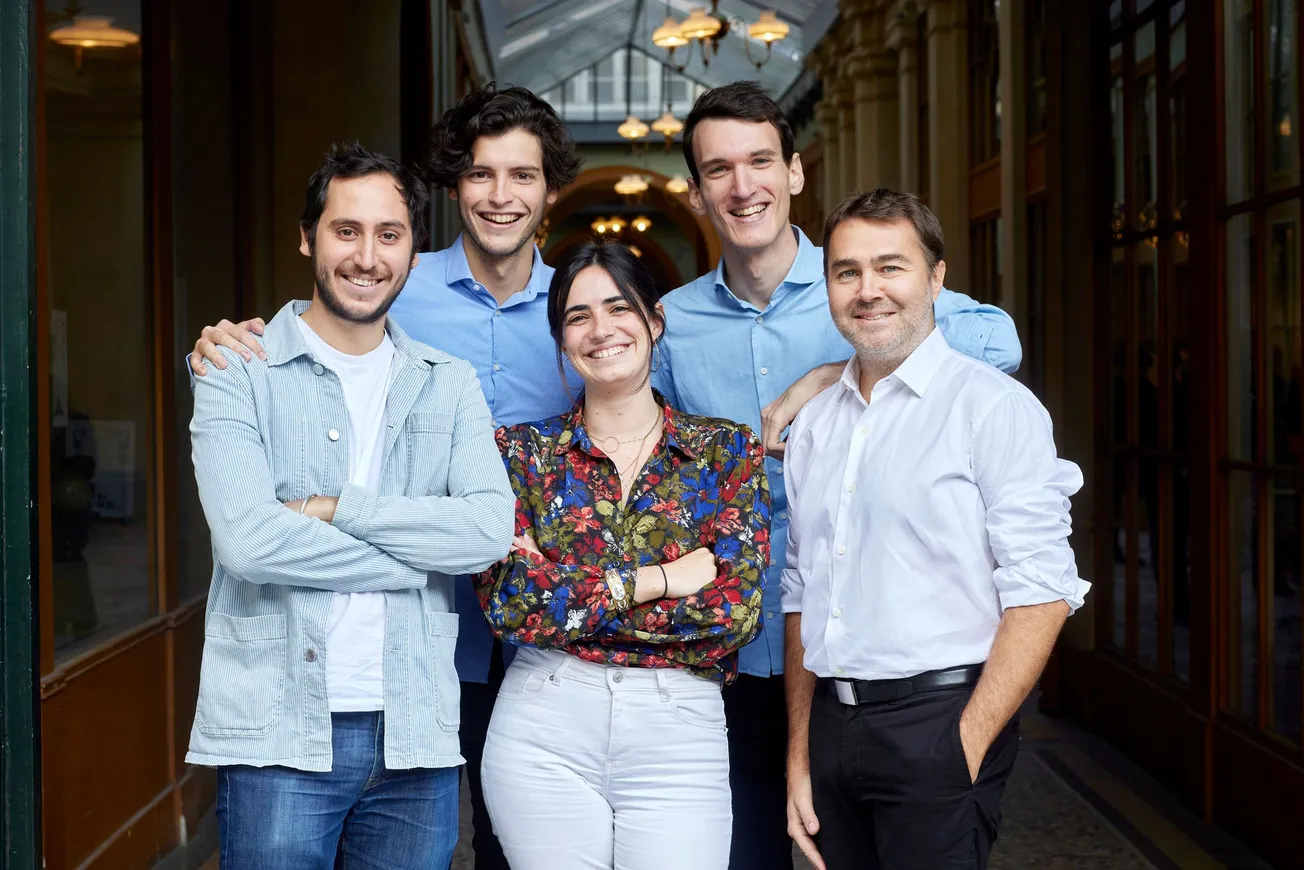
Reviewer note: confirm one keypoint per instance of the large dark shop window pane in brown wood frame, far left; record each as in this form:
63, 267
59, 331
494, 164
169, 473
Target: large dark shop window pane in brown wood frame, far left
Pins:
98, 284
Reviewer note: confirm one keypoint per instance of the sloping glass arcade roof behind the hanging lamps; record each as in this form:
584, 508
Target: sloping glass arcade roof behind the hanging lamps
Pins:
547, 42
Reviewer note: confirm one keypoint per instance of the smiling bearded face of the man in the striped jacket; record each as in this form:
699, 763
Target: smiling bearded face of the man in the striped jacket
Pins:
362, 250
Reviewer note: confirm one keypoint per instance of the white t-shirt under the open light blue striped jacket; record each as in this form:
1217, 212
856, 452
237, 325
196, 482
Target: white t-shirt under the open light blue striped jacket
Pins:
355, 631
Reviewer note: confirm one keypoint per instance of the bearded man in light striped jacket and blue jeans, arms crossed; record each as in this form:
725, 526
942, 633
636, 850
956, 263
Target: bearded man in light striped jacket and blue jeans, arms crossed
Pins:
345, 483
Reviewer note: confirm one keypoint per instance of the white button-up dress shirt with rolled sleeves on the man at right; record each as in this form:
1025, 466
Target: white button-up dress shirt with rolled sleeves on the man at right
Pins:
920, 516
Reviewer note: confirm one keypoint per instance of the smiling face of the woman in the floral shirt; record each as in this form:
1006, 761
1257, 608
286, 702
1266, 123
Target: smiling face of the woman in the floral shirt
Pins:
603, 333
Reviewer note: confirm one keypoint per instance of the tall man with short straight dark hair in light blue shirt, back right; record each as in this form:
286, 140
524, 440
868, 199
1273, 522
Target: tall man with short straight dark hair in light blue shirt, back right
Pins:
735, 341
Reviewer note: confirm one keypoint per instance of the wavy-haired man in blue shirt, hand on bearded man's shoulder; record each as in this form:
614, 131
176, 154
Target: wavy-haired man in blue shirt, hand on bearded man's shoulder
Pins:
503, 156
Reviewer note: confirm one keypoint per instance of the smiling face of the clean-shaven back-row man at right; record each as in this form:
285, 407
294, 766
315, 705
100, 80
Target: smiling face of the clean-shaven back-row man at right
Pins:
747, 190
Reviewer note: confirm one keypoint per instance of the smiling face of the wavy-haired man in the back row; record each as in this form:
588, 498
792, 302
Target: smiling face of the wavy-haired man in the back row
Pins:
504, 195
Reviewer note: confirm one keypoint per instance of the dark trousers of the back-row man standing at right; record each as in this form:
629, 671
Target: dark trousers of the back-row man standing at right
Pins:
757, 717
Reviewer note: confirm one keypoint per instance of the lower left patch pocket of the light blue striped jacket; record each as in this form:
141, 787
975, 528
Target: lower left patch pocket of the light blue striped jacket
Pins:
243, 676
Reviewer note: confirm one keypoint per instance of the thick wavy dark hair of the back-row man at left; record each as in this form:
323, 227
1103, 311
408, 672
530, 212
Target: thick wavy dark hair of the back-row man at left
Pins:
490, 112
